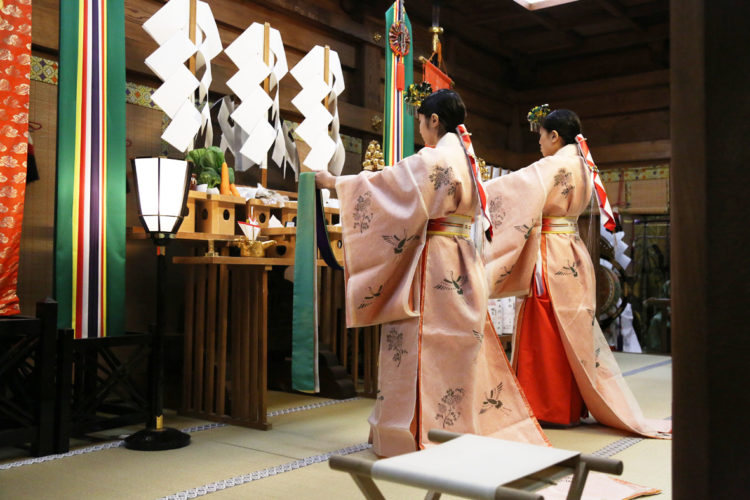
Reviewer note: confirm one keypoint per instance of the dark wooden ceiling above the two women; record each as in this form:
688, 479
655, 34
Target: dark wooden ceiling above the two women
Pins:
605, 38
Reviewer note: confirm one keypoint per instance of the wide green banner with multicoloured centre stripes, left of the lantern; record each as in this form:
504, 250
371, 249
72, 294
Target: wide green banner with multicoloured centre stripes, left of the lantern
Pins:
91, 163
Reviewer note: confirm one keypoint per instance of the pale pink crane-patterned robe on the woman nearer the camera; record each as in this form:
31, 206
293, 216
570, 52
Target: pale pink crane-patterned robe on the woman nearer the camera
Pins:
441, 364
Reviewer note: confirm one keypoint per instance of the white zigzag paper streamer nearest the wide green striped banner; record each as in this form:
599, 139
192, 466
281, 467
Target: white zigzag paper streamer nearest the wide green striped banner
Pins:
169, 27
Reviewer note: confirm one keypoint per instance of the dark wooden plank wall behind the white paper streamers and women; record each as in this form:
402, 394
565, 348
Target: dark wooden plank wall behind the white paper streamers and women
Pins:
630, 111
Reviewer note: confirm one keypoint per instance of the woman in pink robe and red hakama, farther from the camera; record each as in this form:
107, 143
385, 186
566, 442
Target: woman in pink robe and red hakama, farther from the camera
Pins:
559, 353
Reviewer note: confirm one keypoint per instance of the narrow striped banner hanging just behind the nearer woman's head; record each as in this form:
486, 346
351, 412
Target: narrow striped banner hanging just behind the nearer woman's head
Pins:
398, 130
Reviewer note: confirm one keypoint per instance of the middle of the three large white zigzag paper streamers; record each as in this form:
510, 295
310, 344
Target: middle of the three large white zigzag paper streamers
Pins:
246, 52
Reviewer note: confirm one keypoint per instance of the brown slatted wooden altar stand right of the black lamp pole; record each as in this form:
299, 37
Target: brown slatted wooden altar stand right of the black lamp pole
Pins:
226, 338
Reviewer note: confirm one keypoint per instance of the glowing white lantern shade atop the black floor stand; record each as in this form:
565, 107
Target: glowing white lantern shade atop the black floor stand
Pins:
162, 186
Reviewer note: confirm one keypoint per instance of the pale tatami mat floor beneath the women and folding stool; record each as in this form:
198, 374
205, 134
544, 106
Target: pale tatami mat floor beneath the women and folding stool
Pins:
290, 461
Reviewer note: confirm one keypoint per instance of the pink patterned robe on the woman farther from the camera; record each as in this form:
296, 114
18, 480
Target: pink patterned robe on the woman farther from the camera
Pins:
559, 186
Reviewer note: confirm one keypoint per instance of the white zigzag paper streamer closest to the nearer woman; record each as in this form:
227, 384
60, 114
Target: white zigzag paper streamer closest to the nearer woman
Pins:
327, 150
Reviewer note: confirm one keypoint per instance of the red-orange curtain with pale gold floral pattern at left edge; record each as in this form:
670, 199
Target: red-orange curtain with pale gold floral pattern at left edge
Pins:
15, 59
